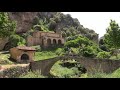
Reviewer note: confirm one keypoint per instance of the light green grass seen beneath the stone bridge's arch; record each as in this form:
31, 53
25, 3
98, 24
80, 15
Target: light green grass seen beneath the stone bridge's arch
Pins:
63, 72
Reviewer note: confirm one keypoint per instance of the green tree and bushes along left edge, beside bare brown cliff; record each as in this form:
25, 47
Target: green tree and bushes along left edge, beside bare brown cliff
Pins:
7, 29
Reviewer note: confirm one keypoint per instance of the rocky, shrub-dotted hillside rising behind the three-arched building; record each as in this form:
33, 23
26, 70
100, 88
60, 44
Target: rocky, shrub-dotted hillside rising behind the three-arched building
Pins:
52, 21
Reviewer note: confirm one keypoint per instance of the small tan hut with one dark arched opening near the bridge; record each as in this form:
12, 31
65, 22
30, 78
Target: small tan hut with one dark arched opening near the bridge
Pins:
22, 54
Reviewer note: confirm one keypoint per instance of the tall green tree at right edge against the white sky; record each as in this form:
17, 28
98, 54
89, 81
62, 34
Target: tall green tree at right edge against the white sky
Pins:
112, 37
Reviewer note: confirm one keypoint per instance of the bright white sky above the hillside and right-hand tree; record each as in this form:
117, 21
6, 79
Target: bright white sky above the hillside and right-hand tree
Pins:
98, 21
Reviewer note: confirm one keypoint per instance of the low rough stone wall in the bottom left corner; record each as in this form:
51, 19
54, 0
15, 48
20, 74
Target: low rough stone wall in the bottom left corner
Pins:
14, 72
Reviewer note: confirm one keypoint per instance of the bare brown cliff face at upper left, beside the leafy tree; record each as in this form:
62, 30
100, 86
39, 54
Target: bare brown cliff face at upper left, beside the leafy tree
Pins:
24, 20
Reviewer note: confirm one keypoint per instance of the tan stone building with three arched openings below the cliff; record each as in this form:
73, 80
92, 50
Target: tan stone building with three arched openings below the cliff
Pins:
45, 39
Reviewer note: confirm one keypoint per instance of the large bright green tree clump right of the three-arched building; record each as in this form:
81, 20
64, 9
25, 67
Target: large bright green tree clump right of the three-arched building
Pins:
86, 47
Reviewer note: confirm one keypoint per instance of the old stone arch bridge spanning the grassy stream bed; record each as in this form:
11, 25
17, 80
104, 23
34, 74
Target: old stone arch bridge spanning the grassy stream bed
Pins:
90, 64
